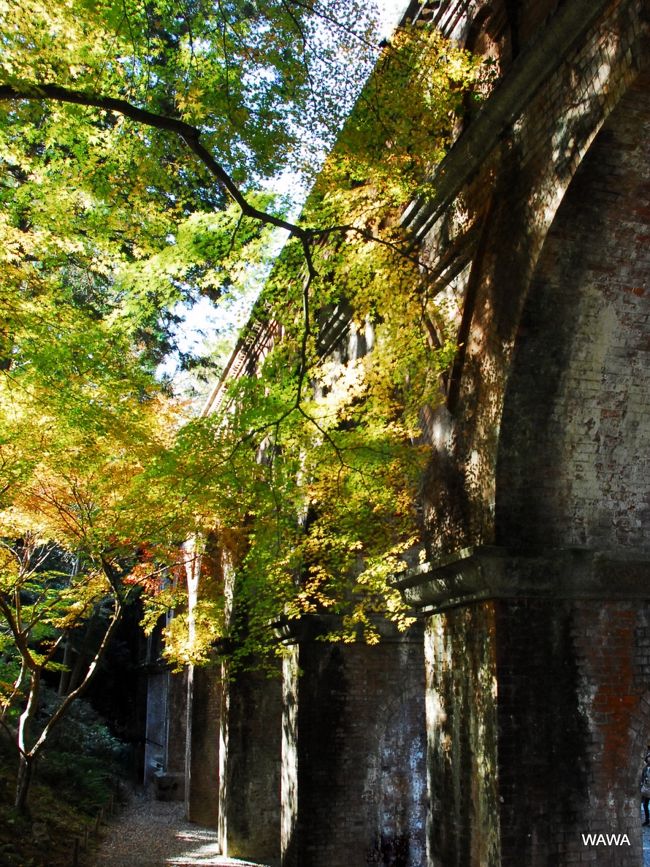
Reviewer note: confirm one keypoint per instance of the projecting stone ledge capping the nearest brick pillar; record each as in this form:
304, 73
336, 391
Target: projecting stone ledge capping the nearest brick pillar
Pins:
491, 572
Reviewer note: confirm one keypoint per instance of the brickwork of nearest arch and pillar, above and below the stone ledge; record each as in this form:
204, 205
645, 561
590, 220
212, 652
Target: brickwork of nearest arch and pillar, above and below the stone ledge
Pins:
544, 443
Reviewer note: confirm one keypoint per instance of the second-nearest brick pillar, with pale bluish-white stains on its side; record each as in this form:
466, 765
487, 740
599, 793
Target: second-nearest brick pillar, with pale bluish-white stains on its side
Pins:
357, 746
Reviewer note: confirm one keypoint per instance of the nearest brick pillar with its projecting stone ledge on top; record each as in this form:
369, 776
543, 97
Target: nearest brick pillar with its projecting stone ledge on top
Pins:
538, 706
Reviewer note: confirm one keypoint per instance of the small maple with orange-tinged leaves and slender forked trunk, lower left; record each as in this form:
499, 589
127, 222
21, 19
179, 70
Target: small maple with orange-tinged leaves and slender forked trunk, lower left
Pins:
80, 416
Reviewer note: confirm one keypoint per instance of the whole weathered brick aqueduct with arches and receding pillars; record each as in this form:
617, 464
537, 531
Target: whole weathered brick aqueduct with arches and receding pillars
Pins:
514, 718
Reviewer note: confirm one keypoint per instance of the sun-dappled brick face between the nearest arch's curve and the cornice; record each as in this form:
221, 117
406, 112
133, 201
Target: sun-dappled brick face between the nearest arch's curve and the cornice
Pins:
509, 206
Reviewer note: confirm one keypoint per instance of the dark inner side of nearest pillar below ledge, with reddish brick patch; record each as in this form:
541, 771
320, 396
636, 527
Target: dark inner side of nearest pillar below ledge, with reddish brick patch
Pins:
574, 720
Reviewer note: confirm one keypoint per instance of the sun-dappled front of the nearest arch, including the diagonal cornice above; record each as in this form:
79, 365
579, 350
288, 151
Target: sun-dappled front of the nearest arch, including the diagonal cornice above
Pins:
493, 235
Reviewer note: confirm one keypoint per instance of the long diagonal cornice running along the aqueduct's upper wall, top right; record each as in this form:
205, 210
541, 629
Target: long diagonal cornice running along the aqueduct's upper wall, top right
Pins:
529, 71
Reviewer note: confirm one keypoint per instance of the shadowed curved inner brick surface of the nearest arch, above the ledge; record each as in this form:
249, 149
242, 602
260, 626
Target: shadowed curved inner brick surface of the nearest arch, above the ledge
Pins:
575, 435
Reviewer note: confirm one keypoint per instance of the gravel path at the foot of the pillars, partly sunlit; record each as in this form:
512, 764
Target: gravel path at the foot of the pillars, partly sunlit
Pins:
152, 833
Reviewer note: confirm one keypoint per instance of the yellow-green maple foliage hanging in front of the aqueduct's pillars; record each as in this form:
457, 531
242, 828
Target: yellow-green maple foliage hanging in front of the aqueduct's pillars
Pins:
315, 465
